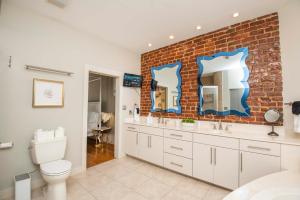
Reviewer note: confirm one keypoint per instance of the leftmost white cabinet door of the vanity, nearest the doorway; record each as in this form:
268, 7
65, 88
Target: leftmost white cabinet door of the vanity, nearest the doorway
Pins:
131, 142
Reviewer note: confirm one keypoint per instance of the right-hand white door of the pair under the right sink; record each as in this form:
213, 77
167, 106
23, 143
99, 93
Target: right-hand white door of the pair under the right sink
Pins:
226, 172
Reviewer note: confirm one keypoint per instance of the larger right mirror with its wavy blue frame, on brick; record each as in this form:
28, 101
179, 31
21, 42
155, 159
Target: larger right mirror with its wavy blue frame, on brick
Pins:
223, 83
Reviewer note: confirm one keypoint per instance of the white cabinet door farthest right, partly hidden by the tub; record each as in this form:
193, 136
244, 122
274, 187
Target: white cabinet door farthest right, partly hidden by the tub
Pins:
253, 166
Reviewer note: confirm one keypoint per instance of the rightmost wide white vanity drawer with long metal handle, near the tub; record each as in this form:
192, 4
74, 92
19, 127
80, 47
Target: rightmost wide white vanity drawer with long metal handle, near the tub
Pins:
260, 147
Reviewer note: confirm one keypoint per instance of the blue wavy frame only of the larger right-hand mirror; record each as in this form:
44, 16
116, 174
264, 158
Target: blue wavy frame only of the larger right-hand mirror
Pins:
244, 81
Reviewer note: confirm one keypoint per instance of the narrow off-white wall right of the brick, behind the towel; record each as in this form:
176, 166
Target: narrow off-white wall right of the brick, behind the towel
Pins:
289, 24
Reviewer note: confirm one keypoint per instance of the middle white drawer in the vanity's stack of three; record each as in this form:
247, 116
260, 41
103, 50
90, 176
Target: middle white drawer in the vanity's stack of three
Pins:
178, 147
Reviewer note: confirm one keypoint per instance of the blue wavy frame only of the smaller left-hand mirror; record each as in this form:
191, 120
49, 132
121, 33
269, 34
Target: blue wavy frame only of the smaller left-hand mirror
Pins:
178, 100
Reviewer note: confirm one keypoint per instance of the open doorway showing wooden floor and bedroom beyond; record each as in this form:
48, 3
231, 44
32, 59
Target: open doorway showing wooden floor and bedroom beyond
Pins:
100, 145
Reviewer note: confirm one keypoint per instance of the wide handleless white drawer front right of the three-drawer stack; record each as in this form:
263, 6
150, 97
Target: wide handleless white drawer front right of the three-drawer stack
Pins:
230, 143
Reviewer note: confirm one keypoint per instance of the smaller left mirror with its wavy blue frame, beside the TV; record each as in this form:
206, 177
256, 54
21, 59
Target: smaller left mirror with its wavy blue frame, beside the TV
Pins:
166, 88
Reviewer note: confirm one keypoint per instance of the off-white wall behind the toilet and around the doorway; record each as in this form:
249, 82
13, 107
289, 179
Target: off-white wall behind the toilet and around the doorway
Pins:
33, 39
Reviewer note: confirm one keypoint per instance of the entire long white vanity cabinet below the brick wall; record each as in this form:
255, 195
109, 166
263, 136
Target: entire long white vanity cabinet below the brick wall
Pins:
224, 160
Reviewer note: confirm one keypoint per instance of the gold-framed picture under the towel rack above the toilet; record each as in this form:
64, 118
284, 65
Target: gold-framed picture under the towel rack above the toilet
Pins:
48, 94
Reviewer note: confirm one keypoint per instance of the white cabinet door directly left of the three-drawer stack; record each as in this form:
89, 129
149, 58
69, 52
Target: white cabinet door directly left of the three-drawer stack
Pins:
156, 154
